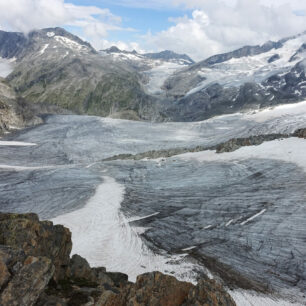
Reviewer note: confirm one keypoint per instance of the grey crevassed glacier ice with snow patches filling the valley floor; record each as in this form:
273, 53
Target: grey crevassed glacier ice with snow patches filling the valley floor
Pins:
241, 213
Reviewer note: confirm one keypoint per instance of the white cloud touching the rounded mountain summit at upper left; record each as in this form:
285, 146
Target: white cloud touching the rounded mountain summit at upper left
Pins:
25, 15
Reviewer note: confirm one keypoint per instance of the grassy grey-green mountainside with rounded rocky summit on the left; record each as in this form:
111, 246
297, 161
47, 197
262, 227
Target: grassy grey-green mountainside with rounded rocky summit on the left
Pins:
57, 68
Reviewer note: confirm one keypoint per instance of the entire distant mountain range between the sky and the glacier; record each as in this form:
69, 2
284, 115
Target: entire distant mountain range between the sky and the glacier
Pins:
56, 71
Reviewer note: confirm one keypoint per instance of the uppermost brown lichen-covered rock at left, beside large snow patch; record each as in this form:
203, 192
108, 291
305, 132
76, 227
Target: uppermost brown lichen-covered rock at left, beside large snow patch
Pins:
36, 238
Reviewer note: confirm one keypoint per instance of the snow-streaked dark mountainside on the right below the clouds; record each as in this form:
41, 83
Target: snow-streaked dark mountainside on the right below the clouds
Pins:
248, 78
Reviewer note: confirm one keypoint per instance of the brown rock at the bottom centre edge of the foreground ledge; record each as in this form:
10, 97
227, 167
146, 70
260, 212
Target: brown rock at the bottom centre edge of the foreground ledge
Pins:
157, 289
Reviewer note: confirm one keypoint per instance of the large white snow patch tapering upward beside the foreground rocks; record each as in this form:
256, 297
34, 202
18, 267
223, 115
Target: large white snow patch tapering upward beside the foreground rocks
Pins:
102, 234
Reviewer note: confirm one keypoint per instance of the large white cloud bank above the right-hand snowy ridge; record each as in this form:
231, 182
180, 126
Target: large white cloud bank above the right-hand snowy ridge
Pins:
218, 26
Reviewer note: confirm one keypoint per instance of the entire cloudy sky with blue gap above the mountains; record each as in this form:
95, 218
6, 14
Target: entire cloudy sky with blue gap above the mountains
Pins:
199, 28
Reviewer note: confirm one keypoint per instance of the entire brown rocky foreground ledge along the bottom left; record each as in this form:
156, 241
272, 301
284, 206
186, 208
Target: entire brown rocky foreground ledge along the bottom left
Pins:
36, 269
